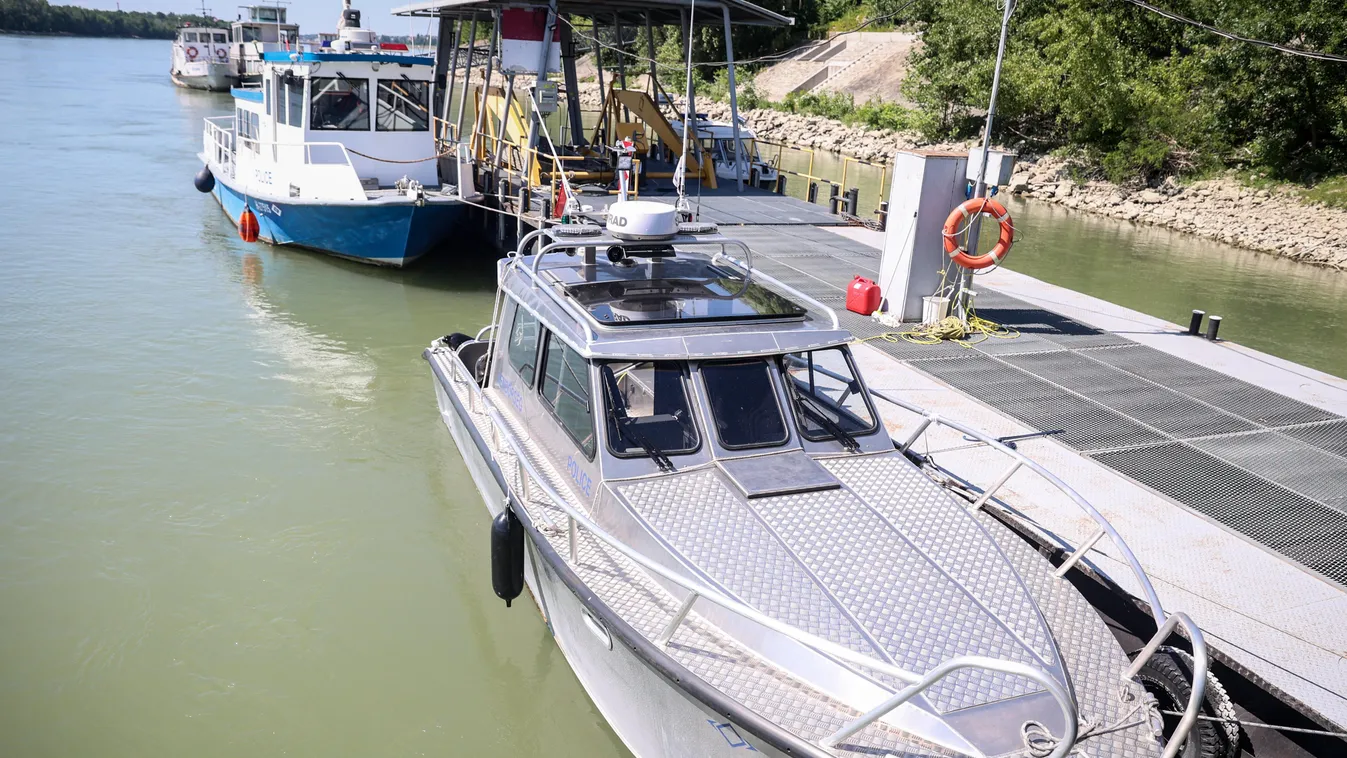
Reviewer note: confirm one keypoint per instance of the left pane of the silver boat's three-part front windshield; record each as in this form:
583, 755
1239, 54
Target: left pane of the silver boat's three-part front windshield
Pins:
649, 410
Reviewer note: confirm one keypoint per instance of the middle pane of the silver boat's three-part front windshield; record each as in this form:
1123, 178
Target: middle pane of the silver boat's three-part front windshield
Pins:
744, 405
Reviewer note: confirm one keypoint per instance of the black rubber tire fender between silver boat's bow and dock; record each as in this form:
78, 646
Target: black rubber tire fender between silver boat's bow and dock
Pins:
1169, 677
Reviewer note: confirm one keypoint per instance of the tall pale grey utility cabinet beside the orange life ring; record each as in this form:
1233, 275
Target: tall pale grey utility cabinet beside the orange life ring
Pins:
927, 186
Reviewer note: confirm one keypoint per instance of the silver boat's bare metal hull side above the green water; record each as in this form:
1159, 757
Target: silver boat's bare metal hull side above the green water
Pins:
650, 714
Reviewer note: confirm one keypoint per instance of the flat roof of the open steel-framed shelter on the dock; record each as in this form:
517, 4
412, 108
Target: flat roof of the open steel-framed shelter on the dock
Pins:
662, 13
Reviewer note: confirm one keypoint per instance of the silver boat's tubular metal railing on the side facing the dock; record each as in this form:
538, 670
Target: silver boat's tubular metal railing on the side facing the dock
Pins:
1166, 623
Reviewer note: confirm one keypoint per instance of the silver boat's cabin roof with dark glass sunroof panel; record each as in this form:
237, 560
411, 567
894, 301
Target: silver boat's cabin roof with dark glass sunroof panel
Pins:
682, 298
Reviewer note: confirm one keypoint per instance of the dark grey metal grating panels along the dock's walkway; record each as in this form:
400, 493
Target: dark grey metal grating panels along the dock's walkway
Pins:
1263, 464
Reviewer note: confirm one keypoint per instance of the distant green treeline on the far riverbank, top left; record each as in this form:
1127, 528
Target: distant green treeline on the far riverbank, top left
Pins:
37, 17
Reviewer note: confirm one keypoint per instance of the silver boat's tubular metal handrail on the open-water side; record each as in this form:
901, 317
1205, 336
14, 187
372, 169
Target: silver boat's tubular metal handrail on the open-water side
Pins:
918, 683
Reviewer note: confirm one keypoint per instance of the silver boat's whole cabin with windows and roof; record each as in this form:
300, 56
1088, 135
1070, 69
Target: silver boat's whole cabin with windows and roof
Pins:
643, 359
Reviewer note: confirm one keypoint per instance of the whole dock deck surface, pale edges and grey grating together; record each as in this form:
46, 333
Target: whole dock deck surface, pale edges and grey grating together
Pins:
1230, 491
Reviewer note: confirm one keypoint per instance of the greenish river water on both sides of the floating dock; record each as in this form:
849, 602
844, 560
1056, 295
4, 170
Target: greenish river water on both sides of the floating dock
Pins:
231, 520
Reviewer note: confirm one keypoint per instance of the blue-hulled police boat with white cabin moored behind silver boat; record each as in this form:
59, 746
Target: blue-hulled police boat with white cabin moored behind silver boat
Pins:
335, 153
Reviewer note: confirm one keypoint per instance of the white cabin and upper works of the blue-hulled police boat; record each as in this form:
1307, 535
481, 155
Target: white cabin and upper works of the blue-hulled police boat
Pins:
332, 126
